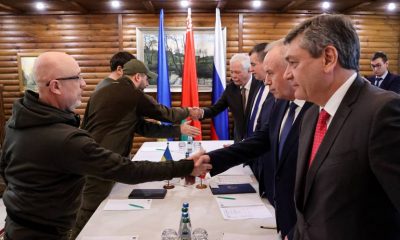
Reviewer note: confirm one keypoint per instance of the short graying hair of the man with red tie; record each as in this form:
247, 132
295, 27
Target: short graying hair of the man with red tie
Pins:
329, 29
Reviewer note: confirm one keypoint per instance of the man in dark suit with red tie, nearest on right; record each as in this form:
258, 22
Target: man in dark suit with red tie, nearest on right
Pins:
348, 169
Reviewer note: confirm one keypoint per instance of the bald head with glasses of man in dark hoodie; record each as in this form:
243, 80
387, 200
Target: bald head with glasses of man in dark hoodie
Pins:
58, 78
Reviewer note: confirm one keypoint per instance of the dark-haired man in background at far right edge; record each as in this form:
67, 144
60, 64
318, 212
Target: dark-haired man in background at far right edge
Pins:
382, 77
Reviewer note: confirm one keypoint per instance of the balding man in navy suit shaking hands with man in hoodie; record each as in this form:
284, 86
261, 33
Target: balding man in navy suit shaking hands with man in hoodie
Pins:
279, 138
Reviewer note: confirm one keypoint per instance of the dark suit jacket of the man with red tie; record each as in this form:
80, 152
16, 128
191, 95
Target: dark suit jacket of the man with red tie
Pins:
352, 189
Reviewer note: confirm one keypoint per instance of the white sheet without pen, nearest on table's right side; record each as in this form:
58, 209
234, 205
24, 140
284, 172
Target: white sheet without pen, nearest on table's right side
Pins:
235, 213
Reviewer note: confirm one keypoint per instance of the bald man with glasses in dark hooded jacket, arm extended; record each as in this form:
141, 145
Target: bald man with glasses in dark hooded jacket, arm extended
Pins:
45, 156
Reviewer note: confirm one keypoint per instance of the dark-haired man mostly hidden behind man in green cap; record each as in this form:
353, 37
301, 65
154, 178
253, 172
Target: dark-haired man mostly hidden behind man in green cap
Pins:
116, 65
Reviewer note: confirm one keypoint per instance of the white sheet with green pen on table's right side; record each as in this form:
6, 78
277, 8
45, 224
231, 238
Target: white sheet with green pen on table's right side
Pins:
238, 200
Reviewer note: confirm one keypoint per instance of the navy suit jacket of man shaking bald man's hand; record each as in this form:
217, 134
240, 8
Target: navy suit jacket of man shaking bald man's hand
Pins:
283, 171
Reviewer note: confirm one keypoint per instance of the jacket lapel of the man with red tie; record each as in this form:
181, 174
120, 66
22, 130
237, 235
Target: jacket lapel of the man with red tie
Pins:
334, 129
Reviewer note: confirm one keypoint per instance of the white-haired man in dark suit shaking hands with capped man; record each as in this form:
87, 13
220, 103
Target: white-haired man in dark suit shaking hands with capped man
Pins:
238, 95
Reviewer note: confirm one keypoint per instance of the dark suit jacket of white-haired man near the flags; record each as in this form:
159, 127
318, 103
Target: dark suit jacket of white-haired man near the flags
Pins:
231, 98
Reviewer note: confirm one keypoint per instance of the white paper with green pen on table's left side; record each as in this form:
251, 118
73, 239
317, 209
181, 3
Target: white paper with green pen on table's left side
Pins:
127, 204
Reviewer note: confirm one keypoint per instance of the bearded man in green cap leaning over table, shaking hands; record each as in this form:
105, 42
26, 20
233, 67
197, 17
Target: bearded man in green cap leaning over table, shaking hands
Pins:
113, 115
